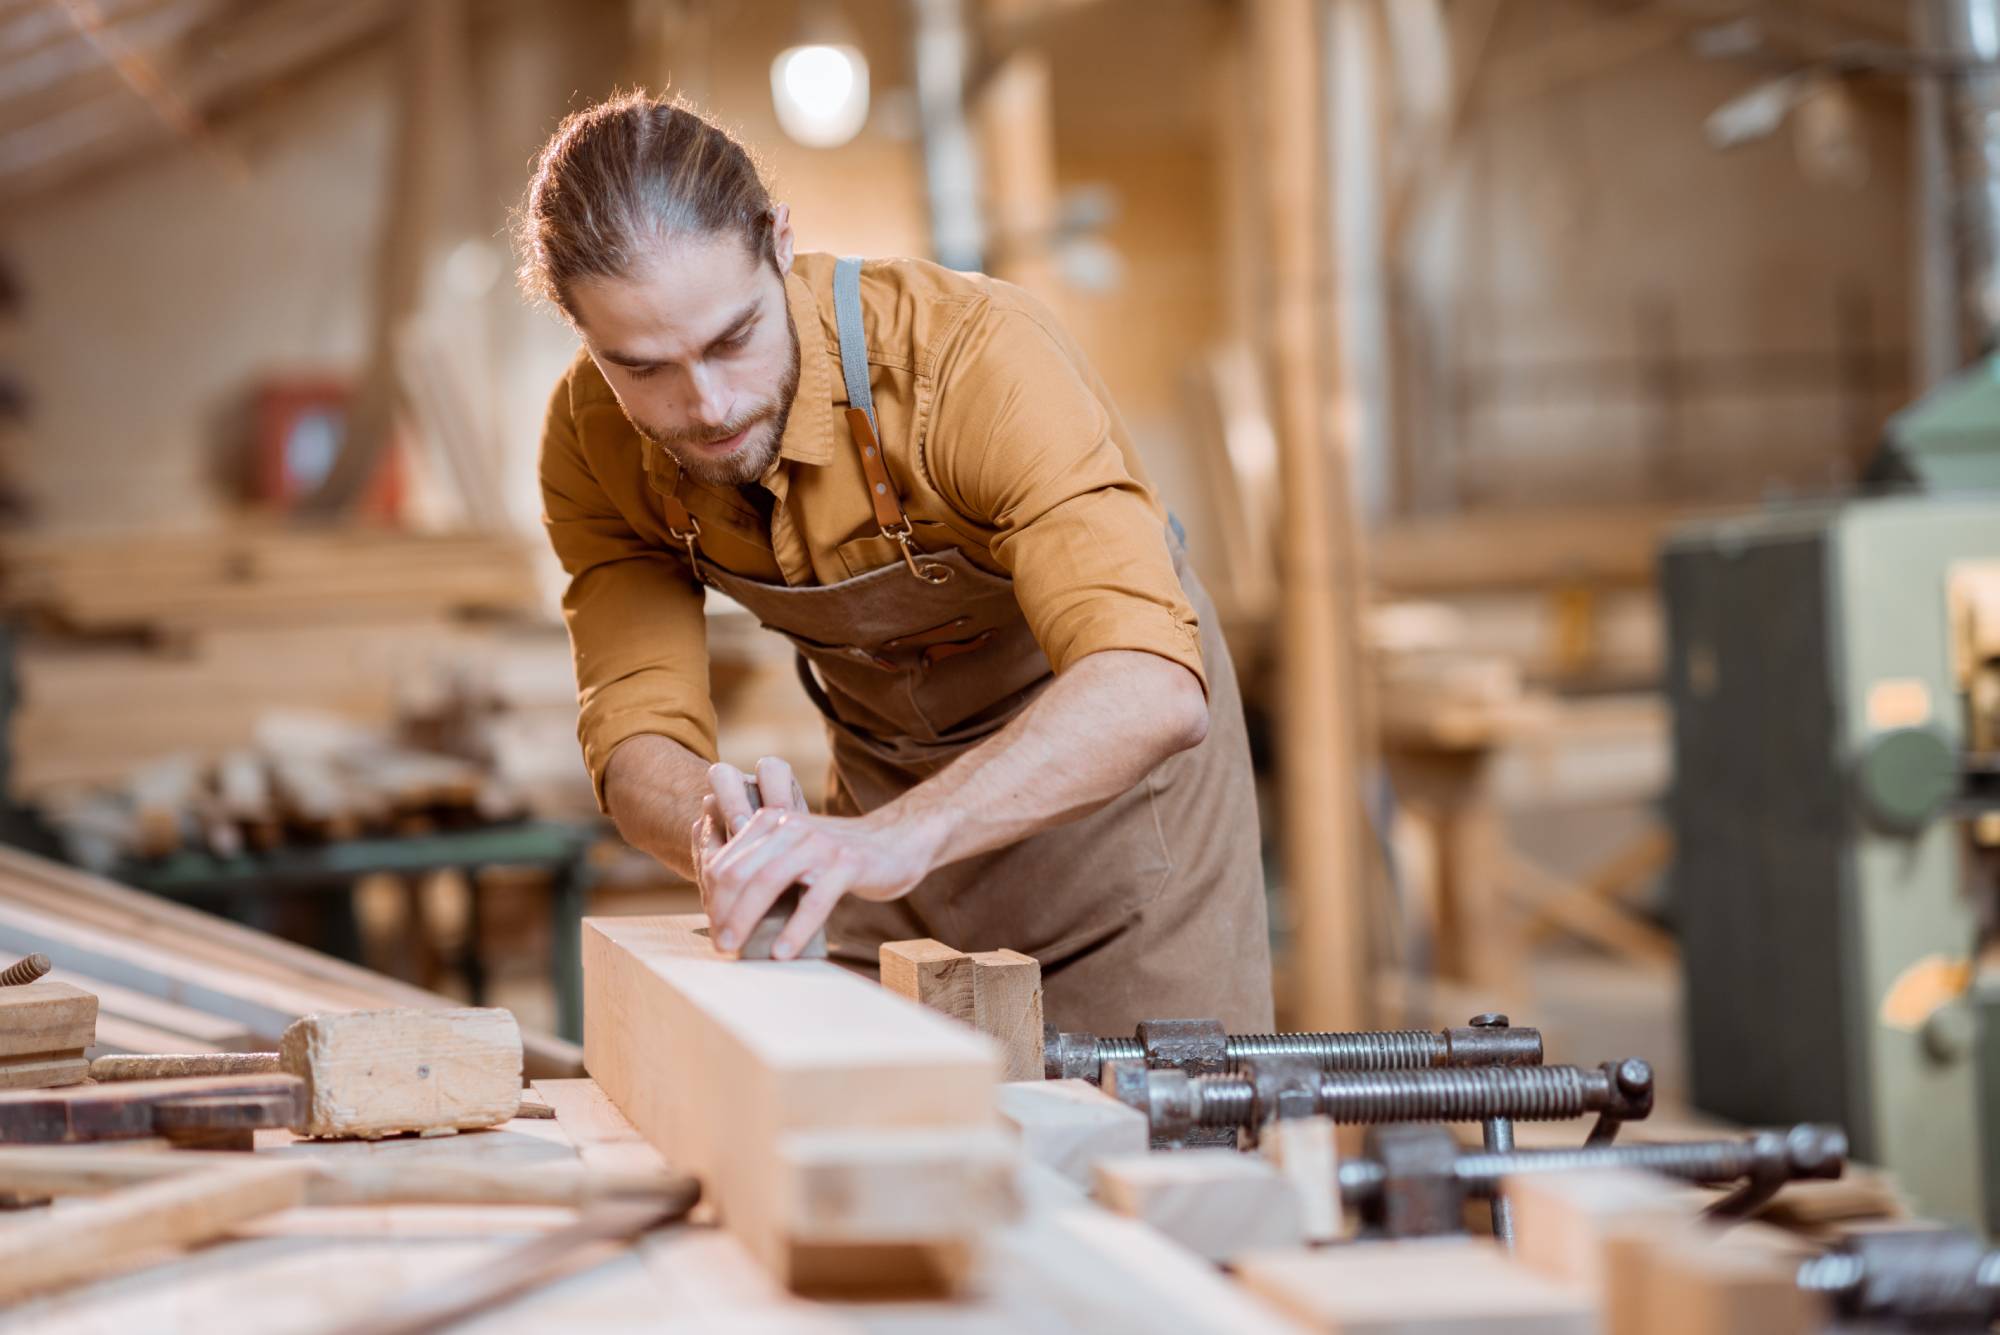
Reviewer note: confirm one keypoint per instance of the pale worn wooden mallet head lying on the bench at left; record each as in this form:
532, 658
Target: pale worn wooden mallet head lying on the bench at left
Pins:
373, 1074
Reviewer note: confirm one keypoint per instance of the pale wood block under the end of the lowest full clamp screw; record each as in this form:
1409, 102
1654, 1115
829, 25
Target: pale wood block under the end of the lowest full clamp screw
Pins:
1569, 1224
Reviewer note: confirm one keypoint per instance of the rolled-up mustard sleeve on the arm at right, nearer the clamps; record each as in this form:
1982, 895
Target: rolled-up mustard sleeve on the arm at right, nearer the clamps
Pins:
1023, 443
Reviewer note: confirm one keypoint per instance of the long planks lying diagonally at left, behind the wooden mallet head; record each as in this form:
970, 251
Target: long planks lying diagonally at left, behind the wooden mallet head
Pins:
173, 980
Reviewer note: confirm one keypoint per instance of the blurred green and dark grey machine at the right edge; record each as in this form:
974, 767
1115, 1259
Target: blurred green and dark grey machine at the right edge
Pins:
1835, 674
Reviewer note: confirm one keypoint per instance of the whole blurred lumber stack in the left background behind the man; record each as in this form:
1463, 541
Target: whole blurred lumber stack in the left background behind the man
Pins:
151, 649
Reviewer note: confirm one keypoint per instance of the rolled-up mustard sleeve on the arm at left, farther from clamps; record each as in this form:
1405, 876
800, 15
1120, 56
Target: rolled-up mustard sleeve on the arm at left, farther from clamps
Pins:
633, 611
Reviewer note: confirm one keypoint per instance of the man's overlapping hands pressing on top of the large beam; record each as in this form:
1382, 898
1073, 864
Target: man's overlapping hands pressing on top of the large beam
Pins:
767, 850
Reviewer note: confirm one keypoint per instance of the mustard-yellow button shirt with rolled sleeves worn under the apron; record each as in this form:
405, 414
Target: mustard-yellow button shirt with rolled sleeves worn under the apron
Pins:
997, 433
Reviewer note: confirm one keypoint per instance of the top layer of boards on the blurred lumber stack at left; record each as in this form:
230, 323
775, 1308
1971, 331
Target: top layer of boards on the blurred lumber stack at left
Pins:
191, 583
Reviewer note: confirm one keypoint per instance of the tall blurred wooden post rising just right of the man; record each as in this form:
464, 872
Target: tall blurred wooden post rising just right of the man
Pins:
1325, 832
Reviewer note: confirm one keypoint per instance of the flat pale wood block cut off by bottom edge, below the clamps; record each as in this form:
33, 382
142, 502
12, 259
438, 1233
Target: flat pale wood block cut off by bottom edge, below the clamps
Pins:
1451, 1286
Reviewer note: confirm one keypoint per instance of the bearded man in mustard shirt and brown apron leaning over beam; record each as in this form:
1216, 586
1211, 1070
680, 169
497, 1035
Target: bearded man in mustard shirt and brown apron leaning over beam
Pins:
915, 477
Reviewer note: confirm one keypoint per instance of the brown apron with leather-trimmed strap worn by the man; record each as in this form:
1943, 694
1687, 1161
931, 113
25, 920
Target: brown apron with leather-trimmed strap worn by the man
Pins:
1149, 908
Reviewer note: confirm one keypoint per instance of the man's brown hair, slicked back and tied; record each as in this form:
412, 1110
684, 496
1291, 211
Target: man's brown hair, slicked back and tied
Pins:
625, 175
